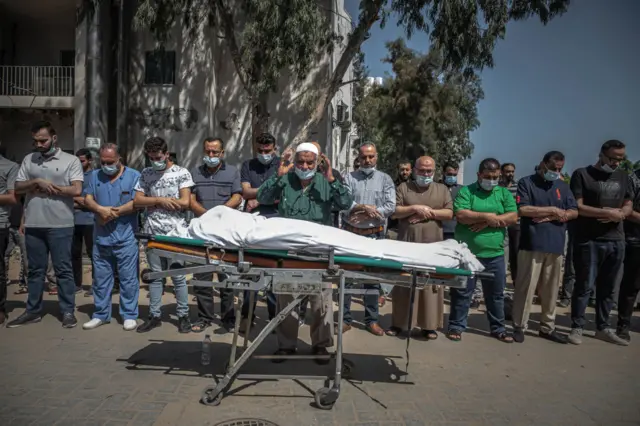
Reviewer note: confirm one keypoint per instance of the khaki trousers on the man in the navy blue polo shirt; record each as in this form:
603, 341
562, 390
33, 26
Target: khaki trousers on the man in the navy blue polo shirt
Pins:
544, 272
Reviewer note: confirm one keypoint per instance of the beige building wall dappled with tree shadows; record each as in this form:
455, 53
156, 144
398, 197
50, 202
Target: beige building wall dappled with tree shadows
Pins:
208, 100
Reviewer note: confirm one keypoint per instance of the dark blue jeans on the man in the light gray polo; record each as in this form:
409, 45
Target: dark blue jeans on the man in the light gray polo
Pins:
40, 243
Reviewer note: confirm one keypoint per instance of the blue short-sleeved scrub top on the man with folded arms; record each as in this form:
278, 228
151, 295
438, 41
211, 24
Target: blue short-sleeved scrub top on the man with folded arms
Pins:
115, 194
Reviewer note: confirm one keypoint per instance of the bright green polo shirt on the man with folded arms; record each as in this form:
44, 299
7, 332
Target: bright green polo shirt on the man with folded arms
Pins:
489, 242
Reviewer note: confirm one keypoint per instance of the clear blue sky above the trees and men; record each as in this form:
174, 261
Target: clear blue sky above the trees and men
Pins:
569, 86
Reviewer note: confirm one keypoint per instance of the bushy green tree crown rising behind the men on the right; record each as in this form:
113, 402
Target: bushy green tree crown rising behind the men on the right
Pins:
424, 109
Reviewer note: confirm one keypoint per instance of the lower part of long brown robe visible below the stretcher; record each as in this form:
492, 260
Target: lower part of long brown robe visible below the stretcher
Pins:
428, 307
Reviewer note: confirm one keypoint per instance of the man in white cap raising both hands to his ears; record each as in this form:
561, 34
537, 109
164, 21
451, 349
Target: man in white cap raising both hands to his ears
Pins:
306, 195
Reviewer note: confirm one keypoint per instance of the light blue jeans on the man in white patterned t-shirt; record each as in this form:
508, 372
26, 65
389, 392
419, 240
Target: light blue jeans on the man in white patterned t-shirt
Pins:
157, 264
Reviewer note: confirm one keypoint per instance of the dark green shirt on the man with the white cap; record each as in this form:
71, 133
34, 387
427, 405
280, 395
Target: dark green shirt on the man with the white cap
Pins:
313, 204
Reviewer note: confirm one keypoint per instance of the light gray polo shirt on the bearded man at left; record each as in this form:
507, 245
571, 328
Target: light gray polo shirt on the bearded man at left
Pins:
50, 211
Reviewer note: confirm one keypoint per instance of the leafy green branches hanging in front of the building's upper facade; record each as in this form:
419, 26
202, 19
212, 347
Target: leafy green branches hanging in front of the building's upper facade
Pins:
267, 38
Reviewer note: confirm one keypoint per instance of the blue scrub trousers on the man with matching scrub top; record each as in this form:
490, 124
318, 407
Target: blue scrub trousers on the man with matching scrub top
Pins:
106, 261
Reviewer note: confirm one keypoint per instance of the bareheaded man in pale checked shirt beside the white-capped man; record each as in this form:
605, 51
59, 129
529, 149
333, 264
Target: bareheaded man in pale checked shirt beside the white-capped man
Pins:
374, 196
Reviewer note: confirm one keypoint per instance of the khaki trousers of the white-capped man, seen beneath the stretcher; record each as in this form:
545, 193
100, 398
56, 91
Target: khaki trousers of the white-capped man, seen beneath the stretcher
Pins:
321, 327
